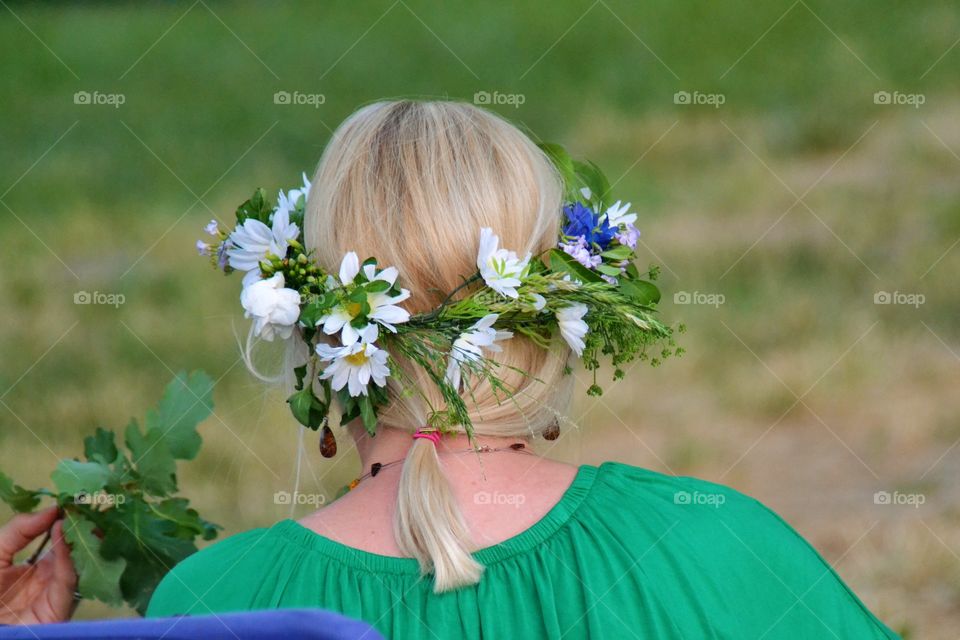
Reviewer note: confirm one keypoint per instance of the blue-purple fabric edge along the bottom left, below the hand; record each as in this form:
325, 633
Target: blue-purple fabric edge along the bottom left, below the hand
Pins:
286, 624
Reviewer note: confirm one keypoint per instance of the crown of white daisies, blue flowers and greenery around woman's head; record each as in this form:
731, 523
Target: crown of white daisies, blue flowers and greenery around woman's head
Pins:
586, 288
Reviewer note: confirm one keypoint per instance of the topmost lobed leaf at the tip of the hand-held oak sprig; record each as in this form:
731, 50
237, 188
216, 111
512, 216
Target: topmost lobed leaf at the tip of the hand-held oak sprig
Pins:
186, 402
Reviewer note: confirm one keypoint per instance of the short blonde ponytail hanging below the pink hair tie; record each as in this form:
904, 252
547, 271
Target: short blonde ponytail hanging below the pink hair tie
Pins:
429, 525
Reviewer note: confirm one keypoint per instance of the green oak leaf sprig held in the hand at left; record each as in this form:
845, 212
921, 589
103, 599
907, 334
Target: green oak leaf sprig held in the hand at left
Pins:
125, 525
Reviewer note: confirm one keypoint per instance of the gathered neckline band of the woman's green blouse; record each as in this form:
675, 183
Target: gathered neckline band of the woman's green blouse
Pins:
541, 530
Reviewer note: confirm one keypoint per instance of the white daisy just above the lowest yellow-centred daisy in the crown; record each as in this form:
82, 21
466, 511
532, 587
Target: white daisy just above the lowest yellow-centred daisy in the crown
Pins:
383, 306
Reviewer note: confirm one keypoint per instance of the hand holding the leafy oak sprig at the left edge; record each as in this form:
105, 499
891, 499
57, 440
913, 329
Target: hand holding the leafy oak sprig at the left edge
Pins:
40, 592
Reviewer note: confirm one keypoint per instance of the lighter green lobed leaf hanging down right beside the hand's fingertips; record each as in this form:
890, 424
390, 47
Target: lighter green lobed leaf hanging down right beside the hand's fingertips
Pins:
99, 578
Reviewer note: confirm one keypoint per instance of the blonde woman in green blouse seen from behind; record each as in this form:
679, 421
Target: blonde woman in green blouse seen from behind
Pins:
439, 540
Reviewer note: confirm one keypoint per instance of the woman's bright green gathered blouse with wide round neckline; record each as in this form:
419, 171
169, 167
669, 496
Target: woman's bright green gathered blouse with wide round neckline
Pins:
626, 552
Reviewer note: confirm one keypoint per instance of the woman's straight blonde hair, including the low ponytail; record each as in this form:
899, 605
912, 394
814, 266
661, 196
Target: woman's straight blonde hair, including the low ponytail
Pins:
412, 183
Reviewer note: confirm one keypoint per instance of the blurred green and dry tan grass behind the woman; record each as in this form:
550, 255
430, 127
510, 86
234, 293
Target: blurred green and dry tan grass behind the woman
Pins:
797, 200
